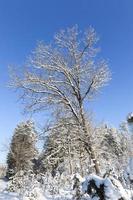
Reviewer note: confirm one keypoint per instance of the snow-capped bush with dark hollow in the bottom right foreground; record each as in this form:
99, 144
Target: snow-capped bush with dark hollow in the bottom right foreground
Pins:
107, 188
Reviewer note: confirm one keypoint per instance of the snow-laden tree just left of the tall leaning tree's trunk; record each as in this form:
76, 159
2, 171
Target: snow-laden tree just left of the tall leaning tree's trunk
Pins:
62, 146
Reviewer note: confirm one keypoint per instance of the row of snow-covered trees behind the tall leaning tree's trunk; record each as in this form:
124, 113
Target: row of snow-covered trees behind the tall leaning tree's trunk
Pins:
64, 154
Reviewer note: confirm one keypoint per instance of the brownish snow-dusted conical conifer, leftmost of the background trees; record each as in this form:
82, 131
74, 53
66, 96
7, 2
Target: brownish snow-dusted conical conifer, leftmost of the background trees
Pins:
22, 149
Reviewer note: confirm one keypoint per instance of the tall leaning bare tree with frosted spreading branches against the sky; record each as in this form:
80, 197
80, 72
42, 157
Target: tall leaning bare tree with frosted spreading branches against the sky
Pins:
65, 73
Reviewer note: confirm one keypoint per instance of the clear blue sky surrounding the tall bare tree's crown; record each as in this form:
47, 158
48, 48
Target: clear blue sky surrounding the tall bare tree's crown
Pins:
24, 22
